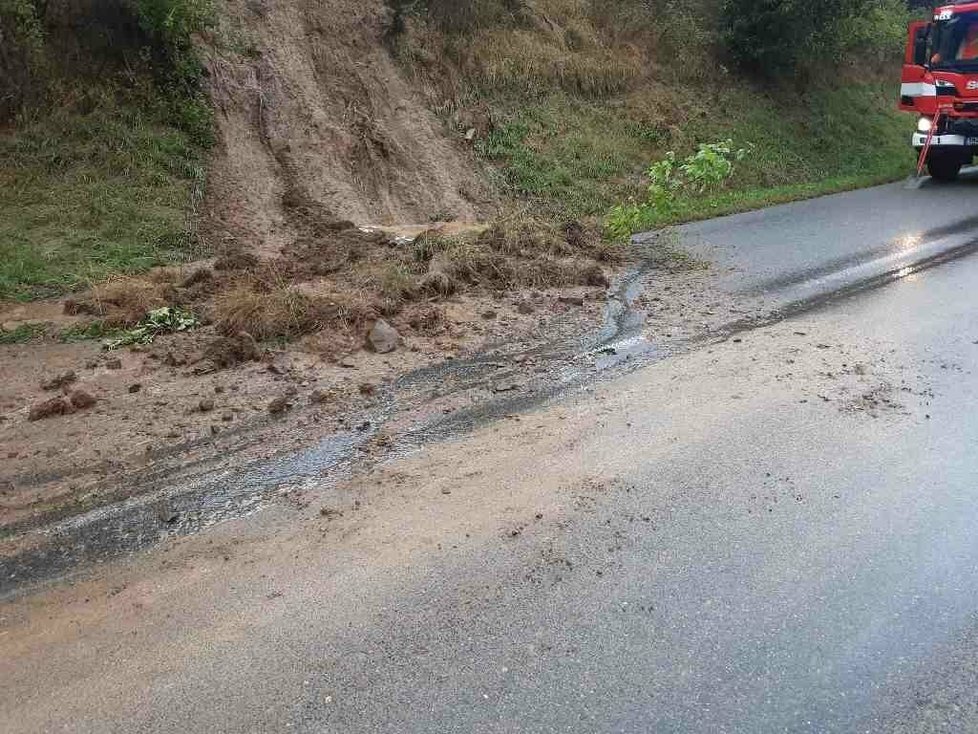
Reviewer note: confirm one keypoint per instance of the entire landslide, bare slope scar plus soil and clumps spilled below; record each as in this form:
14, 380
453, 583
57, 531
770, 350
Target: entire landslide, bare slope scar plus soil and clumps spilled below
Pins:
318, 132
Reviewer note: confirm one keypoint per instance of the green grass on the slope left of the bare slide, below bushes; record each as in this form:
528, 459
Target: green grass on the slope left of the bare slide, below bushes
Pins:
87, 195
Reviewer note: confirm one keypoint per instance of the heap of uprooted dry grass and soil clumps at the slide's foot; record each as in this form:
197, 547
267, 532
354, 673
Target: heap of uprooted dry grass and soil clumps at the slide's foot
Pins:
336, 279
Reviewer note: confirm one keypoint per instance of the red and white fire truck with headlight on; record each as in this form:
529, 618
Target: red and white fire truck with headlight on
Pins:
940, 84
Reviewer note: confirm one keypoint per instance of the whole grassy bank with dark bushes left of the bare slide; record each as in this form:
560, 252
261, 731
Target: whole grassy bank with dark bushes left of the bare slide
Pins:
103, 130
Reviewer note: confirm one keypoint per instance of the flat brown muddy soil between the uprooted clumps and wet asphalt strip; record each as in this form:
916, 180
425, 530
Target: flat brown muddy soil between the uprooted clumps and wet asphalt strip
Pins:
200, 395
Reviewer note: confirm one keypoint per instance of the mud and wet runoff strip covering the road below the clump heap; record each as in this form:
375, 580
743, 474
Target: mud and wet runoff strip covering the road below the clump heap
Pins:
166, 451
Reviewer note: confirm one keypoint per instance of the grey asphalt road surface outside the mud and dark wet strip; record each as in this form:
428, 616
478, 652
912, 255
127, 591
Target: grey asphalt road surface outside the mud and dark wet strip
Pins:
774, 533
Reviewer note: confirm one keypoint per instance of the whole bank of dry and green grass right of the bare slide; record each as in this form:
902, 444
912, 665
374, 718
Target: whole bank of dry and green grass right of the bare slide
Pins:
581, 99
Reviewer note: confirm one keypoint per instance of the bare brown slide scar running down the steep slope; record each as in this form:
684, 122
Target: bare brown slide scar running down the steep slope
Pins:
314, 105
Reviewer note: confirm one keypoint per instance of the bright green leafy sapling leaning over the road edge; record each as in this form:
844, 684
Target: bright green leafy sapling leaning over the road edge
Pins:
699, 173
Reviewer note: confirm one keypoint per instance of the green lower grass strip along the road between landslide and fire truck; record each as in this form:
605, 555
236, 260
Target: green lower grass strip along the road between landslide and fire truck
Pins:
576, 158
